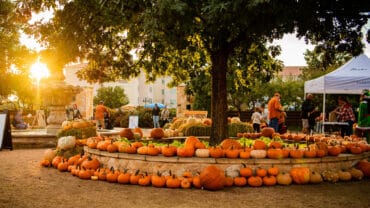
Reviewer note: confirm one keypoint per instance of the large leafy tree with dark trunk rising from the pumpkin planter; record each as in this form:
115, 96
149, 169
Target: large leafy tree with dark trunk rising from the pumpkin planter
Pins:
163, 31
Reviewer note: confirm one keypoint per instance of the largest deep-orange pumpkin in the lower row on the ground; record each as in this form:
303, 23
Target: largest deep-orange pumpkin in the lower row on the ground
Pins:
212, 178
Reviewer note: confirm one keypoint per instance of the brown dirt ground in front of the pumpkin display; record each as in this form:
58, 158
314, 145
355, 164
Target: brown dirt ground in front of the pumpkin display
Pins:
23, 183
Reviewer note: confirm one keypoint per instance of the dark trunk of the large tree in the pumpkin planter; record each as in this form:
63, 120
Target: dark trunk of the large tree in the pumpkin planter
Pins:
219, 130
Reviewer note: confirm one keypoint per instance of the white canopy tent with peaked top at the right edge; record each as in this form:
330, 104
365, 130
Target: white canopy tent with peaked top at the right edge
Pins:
351, 78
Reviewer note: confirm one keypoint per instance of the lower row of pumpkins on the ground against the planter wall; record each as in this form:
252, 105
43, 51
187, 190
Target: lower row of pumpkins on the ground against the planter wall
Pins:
210, 178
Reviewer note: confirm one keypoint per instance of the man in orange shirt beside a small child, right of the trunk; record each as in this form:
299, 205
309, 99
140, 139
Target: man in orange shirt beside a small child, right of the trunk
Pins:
274, 110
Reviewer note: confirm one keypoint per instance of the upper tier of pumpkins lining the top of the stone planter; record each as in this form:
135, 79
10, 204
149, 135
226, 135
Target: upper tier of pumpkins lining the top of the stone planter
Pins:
229, 148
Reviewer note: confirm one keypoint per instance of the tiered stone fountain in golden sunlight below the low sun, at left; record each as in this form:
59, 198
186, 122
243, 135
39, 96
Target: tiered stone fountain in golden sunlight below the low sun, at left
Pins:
57, 95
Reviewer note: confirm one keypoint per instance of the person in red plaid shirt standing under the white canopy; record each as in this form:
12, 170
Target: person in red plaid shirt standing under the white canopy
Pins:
345, 113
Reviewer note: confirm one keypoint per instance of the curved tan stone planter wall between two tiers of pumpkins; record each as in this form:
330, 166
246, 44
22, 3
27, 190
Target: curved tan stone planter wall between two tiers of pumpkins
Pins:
177, 165
